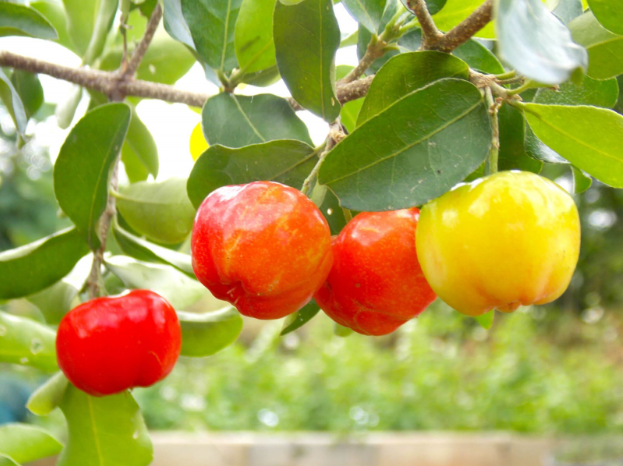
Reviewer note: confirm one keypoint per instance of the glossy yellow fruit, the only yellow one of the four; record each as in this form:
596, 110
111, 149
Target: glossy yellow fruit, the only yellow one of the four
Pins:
506, 240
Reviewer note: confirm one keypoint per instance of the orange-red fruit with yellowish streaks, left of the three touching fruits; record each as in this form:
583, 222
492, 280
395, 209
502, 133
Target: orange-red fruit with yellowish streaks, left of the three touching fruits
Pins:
263, 247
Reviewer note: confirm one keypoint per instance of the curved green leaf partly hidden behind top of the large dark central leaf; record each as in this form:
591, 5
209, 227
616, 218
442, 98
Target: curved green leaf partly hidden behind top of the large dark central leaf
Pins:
405, 73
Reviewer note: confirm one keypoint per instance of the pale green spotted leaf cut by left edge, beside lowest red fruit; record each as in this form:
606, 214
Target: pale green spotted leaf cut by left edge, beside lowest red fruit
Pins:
24, 341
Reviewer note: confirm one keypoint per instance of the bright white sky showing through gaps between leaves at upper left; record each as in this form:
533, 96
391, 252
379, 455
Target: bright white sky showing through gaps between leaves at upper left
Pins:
170, 124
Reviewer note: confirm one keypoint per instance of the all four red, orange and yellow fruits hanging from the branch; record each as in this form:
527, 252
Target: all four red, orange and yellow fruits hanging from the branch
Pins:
503, 241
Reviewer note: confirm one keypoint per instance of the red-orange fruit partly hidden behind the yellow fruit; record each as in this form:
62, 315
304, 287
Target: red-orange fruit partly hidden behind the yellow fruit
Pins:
376, 283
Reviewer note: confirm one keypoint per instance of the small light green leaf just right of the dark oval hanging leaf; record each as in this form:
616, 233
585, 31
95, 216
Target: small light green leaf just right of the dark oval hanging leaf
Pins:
139, 152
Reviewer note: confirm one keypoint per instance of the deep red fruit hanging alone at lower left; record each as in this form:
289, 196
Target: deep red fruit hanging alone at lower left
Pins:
108, 345
